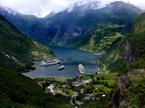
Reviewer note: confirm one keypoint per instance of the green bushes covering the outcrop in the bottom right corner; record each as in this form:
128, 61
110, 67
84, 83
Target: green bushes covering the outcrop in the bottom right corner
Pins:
135, 91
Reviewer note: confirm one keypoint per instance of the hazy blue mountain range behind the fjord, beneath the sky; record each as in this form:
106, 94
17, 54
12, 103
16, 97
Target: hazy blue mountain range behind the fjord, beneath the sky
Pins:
77, 26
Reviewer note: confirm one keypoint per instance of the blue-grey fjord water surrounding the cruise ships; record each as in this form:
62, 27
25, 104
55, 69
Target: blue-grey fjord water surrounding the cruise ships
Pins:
70, 58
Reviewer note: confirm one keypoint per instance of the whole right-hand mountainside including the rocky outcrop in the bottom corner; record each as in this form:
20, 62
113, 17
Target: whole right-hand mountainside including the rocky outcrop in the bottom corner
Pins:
129, 60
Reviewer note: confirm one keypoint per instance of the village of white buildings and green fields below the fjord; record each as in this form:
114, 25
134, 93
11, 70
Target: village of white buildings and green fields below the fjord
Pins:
81, 89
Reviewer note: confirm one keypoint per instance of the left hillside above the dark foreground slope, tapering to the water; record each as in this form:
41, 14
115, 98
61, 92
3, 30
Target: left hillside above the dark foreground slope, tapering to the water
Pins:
17, 51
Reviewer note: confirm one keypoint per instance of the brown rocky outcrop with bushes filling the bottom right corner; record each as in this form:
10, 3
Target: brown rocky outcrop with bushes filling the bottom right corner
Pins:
130, 91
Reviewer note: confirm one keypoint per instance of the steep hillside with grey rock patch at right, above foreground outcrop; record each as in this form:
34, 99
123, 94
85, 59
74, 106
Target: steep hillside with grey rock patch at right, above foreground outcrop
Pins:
131, 53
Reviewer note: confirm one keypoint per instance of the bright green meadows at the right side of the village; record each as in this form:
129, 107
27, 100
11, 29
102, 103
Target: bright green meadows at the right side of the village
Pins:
101, 83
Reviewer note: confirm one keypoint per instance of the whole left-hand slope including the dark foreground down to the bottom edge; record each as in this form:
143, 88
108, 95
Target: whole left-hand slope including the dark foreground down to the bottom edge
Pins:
16, 54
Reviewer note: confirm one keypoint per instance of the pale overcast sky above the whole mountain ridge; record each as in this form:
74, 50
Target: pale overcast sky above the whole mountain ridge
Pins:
41, 8
